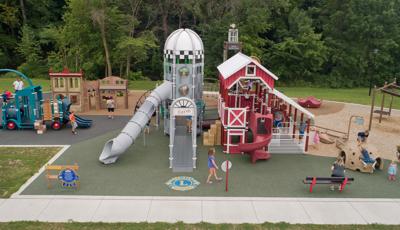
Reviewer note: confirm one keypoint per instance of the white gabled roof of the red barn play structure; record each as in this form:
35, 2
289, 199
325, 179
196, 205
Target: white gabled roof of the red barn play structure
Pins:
237, 62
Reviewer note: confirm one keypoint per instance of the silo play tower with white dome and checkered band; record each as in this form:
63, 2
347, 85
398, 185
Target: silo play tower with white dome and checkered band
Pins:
183, 66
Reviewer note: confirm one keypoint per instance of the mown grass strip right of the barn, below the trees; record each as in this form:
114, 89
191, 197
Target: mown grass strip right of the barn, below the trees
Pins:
356, 95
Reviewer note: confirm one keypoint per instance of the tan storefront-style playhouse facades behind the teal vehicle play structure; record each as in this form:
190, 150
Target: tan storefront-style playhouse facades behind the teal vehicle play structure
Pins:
88, 95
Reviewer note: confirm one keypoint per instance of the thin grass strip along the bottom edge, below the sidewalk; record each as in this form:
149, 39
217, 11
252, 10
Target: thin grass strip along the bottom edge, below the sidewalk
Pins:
180, 225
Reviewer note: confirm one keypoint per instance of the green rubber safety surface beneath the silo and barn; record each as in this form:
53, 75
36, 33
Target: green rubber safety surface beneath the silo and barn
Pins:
144, 170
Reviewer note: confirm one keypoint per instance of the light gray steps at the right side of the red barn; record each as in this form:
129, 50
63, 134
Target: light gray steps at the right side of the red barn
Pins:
285, 145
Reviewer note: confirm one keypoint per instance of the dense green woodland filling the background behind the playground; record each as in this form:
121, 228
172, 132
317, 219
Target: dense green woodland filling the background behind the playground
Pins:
333, 43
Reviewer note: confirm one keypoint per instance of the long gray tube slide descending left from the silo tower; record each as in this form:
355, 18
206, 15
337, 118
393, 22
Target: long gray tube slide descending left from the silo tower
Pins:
117, 146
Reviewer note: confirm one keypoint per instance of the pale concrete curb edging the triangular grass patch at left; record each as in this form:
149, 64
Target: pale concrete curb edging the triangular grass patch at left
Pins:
42, 169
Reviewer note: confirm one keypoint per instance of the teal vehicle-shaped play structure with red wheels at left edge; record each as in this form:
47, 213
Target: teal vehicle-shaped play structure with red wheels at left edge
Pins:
27, 106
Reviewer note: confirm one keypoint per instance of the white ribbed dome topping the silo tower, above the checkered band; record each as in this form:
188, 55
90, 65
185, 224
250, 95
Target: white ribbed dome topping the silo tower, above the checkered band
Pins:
183, 39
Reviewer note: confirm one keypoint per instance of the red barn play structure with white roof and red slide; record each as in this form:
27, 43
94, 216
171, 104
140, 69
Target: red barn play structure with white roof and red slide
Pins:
254, 113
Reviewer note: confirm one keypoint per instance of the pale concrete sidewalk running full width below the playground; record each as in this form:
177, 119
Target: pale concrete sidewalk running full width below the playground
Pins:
197, 209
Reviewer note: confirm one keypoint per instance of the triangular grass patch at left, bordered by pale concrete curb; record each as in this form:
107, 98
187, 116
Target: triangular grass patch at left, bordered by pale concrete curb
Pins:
18, 164
